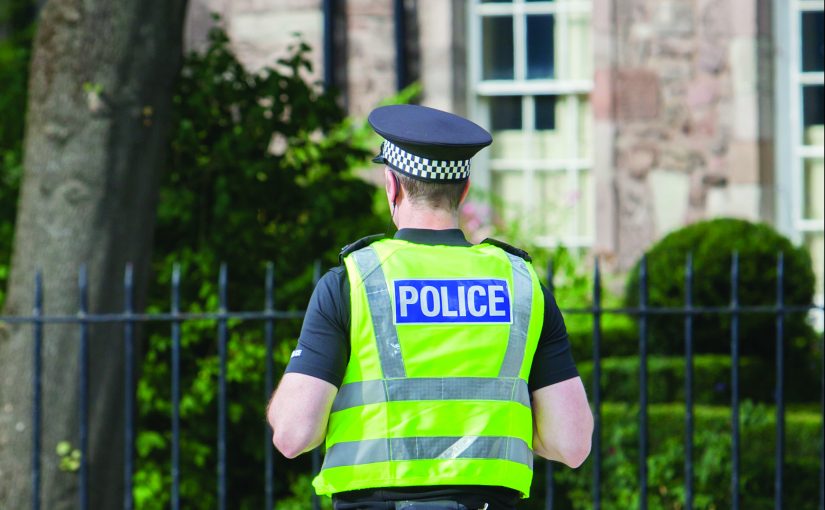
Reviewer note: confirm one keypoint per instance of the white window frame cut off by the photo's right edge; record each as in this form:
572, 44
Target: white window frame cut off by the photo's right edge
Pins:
792, 153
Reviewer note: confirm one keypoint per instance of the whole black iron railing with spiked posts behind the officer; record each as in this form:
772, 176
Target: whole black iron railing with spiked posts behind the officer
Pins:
267, 317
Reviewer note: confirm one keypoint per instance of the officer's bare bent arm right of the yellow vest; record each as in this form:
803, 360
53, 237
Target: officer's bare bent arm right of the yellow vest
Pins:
562, 422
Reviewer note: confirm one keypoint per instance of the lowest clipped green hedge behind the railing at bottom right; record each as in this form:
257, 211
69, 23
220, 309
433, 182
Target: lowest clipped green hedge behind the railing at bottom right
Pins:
711, 456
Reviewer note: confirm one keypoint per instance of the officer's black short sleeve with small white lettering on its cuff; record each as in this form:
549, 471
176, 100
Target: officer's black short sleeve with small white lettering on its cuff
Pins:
323, 347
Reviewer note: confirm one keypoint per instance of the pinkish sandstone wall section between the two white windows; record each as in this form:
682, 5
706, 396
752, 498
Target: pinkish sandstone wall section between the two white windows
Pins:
683, 123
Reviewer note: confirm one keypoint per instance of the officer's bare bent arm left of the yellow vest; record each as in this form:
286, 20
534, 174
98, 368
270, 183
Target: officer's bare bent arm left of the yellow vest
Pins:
298, 413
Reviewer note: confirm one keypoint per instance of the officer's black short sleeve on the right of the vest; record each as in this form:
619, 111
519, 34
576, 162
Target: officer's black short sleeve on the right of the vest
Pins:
553, 361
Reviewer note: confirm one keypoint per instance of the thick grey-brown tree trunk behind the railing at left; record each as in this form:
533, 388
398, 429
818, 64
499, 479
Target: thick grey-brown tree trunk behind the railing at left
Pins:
100, 88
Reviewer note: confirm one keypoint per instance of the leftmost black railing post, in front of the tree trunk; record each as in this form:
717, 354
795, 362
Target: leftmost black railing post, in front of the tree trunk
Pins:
37, 397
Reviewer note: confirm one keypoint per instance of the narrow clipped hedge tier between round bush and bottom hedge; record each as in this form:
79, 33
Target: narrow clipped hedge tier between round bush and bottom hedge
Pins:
666, 379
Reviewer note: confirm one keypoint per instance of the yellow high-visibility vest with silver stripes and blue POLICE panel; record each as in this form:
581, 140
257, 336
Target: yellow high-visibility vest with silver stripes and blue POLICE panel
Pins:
435, 392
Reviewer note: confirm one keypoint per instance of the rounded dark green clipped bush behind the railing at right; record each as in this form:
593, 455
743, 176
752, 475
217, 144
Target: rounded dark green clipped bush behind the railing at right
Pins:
712, 243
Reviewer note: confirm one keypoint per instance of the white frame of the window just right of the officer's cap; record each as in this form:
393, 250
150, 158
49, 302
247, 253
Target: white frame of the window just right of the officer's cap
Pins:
575, 90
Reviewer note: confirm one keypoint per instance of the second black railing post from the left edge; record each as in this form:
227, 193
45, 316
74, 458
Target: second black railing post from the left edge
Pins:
83, 401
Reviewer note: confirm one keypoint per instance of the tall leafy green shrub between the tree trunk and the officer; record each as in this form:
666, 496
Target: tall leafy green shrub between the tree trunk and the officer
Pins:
259, 169
